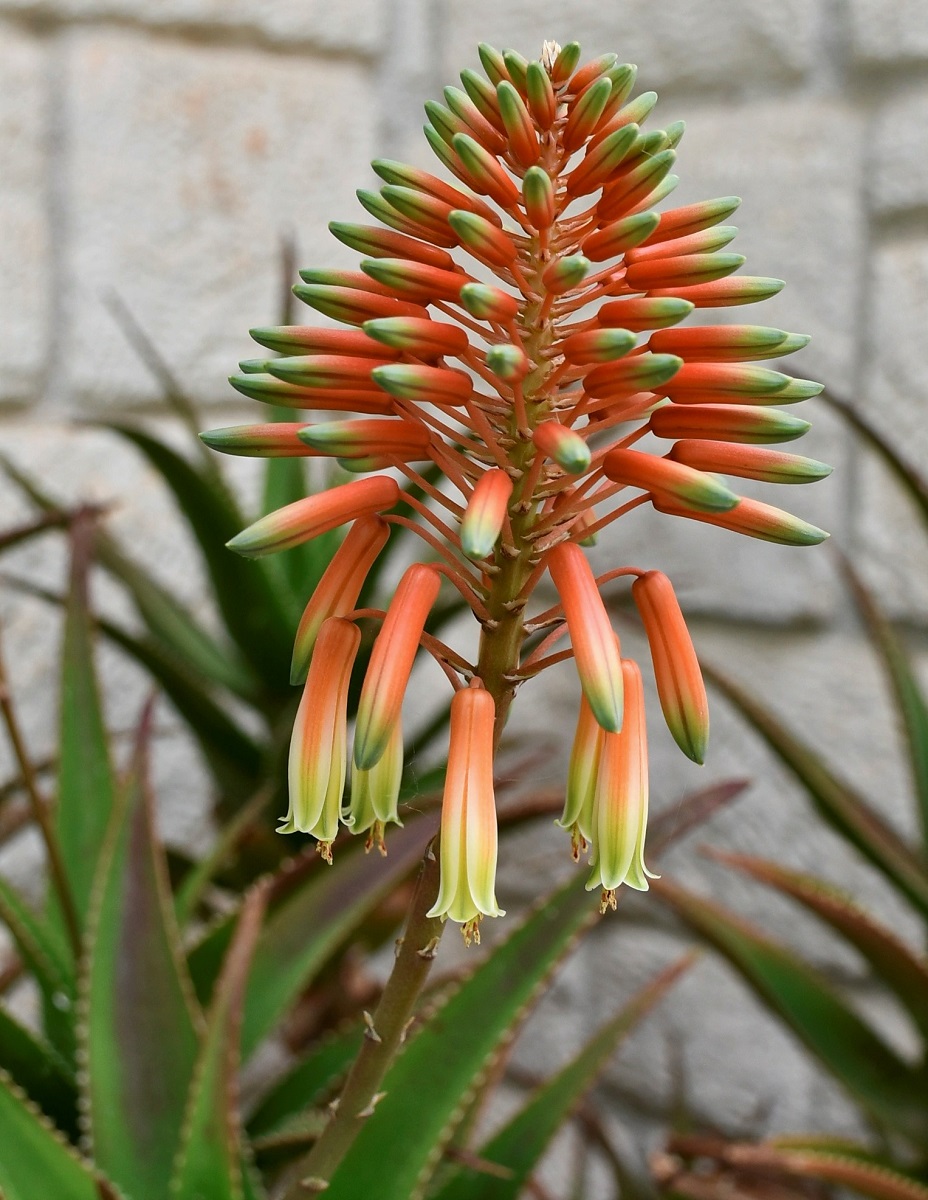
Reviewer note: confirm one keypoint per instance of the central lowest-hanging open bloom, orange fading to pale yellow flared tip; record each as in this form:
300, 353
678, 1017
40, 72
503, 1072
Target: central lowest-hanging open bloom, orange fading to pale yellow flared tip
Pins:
469, 842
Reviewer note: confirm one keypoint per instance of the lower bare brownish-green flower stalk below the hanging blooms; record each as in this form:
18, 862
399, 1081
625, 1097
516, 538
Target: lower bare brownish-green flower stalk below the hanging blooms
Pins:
386, 1034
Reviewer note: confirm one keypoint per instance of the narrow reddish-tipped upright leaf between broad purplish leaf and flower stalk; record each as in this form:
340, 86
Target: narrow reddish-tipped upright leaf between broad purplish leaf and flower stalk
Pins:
211, 1161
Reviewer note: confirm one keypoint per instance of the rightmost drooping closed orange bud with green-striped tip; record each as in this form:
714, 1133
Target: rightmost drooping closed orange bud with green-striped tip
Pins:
679, 677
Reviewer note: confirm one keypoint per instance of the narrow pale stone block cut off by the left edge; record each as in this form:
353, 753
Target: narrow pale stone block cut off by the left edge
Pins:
26, 280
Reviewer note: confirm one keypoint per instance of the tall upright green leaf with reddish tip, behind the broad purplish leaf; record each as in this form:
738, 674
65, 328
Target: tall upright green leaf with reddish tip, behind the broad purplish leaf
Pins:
86, 782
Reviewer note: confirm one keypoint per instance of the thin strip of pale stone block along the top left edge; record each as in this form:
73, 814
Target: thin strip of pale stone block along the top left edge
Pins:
349, 26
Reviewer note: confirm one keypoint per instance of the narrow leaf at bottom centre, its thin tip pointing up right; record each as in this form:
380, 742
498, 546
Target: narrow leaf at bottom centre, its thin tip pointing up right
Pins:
519, 1147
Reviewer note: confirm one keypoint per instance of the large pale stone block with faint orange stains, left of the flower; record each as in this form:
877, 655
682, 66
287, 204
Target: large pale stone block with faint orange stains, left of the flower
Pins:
185, 166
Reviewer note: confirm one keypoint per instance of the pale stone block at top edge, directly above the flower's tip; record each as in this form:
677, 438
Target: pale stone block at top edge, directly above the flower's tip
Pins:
681, 45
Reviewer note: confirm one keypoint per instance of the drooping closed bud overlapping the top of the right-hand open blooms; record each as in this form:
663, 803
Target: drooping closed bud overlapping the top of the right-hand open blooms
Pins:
596, 647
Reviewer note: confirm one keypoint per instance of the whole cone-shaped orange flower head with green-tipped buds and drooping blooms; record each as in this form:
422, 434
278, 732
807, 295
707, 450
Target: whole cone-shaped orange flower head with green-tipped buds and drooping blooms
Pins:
523, 329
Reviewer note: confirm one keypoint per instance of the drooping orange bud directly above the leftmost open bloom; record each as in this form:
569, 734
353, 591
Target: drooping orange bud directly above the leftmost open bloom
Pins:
338, 591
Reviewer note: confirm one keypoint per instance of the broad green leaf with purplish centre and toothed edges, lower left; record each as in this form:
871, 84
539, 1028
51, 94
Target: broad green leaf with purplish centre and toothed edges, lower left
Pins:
141, 1033
